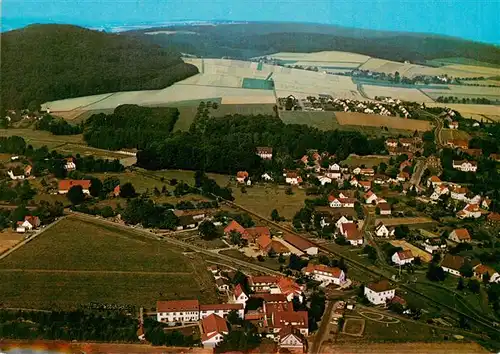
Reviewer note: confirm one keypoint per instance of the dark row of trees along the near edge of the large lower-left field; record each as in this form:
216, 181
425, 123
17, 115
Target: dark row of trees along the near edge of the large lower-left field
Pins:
77, 325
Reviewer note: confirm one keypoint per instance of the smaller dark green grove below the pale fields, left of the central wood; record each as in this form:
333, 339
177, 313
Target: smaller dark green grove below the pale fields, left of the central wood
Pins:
129, 126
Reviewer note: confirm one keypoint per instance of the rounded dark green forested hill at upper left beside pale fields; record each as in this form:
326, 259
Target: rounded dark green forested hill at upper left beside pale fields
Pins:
48, 62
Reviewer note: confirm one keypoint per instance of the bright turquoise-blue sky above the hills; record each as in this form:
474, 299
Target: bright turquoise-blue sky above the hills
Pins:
477, 20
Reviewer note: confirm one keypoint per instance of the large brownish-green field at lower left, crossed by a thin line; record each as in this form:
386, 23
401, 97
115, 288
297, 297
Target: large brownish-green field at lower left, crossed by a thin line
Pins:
77, 262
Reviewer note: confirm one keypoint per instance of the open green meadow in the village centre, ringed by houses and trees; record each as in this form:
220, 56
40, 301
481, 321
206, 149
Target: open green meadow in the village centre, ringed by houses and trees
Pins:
263, 199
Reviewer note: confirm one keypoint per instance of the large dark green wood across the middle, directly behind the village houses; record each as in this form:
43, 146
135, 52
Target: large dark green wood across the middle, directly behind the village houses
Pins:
227, 145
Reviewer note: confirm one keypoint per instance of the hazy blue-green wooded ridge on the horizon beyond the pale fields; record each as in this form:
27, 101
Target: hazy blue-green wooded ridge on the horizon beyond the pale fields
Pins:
255, 39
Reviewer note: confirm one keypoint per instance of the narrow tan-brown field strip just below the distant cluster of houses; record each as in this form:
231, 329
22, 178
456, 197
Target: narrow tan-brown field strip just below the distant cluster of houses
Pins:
350, 118
